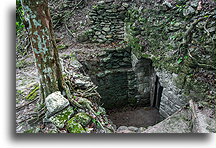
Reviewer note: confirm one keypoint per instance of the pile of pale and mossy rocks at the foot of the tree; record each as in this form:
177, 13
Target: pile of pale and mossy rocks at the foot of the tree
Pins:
65, 118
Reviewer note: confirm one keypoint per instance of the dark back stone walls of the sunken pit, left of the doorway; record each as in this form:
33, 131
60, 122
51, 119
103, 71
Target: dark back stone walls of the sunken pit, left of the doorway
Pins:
121, 78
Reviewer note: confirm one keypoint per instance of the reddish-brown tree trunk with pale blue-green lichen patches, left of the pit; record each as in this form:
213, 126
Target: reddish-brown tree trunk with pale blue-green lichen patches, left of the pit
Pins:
44, 46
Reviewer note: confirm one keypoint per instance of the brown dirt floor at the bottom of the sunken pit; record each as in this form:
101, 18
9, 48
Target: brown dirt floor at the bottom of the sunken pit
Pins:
138, 117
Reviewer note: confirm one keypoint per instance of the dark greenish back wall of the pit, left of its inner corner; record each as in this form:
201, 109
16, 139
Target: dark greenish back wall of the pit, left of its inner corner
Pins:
112, 79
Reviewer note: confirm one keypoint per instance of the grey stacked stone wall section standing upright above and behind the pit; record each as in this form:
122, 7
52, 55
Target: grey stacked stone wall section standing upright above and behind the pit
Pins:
107, 21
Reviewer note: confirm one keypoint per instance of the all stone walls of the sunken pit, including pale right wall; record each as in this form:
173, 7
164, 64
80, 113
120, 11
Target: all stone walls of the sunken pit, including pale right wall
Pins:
123, 79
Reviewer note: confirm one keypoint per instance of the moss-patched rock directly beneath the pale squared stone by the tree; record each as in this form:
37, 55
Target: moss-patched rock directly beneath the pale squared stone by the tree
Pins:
59, 119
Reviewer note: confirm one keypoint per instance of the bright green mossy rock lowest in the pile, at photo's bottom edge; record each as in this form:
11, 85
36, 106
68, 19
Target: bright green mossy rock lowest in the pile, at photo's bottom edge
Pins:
74, 127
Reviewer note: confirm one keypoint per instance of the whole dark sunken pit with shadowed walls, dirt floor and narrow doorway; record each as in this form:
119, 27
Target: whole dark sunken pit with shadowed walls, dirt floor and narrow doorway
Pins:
123, 90
